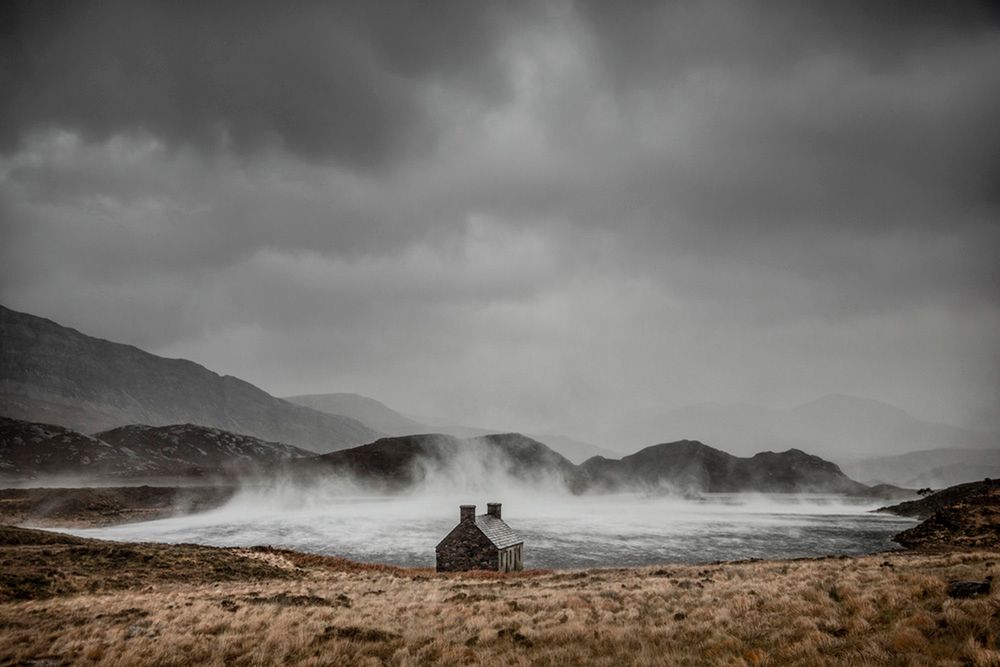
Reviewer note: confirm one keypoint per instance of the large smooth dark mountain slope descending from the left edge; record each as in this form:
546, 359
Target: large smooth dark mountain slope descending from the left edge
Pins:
57, 375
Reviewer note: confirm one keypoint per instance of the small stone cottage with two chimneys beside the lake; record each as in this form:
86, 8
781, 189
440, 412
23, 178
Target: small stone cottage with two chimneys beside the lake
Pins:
481, 542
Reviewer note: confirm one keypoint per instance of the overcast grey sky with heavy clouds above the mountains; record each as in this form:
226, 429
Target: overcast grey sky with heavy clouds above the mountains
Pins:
540, 216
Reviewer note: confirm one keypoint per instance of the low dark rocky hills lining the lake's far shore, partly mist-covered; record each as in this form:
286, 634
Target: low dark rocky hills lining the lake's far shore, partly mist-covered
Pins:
30, 451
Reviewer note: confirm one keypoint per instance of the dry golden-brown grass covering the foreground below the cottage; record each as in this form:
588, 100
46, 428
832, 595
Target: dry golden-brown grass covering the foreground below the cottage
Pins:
877, 610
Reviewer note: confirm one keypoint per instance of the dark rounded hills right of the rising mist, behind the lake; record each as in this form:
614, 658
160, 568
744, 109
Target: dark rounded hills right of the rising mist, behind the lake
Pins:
689, 466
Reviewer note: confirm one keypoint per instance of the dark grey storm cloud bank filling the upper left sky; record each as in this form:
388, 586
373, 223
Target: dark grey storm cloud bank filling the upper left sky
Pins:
337, 81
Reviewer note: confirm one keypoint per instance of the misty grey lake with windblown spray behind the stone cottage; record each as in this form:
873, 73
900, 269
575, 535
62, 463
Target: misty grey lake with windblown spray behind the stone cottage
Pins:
560, 530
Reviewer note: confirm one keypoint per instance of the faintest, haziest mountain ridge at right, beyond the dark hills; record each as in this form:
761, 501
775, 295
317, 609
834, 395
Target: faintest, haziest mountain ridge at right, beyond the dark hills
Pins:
843, 428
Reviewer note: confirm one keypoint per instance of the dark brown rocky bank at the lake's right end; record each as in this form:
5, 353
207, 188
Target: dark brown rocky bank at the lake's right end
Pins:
967, 516
